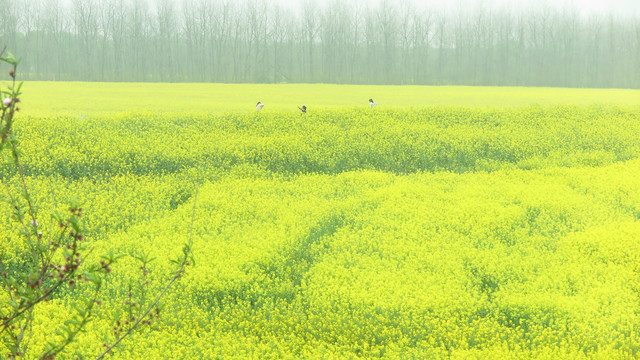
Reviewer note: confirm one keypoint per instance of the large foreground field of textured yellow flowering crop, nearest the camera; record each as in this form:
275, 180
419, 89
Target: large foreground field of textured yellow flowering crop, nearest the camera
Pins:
430, 232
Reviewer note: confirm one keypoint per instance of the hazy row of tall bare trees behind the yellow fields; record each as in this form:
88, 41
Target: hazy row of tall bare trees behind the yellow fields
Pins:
337, 42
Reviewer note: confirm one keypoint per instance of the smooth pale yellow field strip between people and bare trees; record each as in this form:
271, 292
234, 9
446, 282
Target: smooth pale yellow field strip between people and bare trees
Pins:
75, 99
